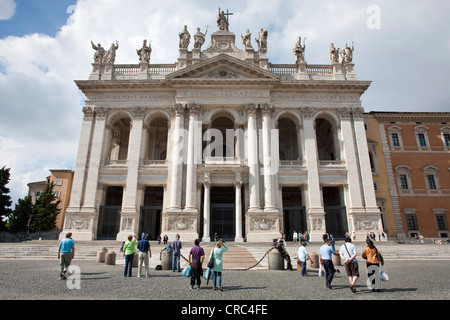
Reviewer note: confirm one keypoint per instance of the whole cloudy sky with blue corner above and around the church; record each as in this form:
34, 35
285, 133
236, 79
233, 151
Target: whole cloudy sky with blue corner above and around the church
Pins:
402, 46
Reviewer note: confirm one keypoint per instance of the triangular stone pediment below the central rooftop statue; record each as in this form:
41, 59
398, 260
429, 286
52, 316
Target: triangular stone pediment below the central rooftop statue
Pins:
223, 67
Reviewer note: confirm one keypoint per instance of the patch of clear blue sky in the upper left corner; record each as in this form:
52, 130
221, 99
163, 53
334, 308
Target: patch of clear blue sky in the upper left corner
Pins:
37, 16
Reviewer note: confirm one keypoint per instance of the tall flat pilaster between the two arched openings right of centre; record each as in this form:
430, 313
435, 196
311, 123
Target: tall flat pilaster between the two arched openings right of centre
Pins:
313, 191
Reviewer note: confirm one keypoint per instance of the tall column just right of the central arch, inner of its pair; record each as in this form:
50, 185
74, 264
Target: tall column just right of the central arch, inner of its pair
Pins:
252, 145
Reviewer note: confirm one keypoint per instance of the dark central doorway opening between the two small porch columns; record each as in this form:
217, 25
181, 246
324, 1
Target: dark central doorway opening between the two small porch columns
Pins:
223, 213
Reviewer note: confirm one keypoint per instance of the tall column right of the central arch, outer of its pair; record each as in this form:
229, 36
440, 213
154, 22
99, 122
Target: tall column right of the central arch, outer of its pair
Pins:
268, 159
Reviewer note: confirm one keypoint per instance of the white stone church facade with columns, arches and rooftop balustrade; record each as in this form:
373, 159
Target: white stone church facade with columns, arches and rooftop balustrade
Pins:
222, 119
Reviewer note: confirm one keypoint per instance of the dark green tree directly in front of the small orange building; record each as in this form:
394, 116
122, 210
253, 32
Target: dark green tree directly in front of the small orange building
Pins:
45, 211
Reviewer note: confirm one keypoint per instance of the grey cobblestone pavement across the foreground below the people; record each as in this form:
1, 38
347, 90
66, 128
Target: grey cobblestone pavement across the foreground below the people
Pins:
38, 279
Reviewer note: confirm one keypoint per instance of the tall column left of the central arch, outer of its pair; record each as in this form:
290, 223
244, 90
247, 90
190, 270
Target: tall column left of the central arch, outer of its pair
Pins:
176, 158
